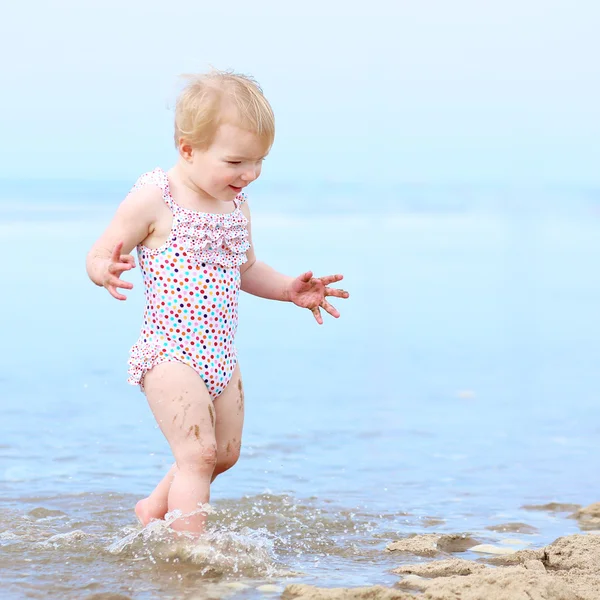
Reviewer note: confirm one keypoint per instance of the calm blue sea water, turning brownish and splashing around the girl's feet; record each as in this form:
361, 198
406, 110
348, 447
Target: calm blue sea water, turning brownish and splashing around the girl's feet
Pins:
460, 384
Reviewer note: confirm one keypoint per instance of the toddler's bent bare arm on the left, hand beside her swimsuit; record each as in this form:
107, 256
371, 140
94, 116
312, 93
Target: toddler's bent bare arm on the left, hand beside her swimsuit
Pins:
132, 223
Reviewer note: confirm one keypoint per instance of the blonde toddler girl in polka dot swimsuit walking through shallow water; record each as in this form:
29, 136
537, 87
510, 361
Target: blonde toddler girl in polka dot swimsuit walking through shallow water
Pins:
191, 227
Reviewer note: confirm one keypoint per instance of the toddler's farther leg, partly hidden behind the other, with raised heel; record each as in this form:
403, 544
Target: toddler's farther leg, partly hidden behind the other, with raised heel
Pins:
229, 421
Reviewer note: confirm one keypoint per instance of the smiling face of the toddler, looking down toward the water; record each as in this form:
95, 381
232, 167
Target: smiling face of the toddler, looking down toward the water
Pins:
229, 164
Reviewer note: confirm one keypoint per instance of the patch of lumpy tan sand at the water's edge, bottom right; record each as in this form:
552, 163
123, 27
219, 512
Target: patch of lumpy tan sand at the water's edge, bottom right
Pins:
567, 569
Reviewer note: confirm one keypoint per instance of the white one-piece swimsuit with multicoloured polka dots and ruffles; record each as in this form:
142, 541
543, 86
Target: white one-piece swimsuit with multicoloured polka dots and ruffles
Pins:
191, 284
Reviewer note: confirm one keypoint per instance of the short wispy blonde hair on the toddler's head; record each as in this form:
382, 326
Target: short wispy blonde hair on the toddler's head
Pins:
217, 97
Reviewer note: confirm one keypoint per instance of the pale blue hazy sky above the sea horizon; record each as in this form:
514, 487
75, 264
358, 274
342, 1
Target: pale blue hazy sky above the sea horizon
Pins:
420, 90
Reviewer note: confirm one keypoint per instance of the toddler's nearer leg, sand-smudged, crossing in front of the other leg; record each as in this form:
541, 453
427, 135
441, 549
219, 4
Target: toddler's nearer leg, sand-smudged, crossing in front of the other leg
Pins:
184, 412
